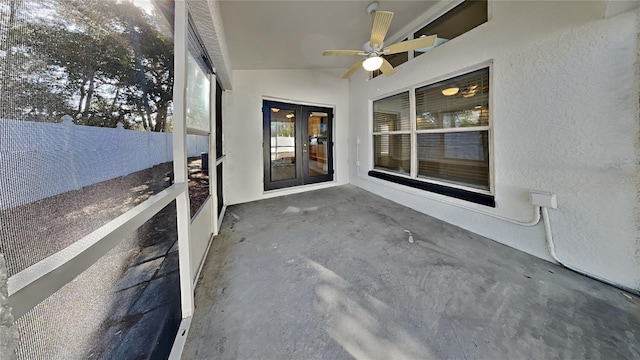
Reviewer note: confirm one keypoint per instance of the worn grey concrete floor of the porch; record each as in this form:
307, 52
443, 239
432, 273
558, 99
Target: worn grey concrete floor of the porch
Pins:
331, 274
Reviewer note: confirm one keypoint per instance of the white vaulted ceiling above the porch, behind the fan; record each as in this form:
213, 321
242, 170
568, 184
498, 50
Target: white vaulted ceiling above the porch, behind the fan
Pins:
293, 34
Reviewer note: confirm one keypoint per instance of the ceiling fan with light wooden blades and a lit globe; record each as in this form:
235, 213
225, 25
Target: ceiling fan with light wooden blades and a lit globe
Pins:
374, 48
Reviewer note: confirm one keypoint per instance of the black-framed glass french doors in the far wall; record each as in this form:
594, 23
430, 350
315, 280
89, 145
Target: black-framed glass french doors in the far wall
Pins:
297, 144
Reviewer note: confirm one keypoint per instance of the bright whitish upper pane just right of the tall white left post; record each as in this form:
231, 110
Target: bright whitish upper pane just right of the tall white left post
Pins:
198, 100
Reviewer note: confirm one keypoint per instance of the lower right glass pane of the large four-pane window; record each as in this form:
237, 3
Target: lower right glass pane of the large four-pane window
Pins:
458, 157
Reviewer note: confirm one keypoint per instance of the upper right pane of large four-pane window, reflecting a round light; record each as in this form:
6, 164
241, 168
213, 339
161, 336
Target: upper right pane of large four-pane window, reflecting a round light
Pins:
462, 101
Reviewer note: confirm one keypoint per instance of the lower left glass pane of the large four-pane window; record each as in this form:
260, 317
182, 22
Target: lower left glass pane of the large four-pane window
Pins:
393, 152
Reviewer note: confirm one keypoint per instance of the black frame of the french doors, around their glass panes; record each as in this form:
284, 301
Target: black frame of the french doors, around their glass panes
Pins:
302, 113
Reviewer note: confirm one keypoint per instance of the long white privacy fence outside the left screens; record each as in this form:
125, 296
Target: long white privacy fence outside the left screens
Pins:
39, 160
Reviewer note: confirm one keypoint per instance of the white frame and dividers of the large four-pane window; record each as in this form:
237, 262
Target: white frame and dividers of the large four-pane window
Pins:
414, 131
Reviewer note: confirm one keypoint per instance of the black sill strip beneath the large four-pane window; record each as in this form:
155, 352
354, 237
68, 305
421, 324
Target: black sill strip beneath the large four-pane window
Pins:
474, 197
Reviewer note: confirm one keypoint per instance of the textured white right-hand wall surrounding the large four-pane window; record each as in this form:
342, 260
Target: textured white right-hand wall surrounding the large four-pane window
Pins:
565, 114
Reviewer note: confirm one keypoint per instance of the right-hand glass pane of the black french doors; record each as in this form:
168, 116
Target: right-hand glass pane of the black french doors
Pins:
318, 126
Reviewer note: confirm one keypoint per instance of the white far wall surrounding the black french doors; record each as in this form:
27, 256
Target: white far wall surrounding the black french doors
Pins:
243, 177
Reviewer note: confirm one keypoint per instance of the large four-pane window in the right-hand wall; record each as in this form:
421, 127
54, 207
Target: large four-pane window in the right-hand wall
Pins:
450, 136
